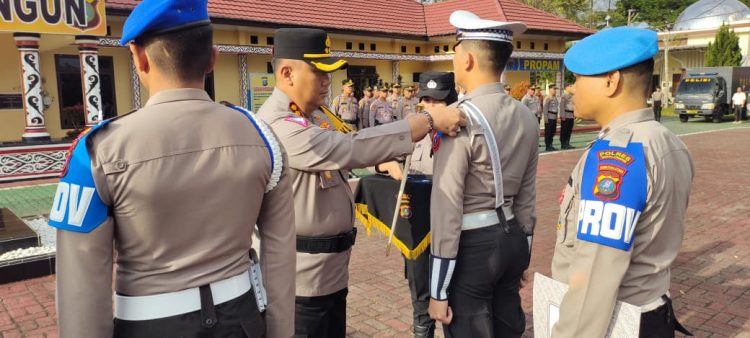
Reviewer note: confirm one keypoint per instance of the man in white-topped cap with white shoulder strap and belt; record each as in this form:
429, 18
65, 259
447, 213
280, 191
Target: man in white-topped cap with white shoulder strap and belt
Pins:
482, 203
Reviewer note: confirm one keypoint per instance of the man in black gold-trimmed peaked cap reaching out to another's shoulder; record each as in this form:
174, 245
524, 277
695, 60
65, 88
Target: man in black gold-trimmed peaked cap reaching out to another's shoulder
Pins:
318, 158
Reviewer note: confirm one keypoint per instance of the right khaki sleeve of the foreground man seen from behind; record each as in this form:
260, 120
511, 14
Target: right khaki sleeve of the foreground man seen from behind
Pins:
278, 256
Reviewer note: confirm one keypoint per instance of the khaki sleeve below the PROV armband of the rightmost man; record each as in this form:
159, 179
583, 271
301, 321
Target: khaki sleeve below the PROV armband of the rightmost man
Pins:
594, 279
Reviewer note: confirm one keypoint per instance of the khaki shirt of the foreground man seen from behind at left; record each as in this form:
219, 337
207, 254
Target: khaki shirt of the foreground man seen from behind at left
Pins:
184, 178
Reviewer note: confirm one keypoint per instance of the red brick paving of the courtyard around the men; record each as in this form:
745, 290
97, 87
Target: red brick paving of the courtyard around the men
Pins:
710, 283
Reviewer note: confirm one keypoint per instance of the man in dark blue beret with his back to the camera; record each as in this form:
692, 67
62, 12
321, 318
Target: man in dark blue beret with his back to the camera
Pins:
169, 195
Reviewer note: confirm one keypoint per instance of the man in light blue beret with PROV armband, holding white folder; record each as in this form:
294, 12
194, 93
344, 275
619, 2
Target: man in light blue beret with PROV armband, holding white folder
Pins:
622, 214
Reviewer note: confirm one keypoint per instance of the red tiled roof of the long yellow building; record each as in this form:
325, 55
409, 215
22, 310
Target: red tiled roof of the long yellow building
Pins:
402, 17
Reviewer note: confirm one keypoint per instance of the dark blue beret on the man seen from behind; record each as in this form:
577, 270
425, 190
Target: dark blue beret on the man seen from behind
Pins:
162, 16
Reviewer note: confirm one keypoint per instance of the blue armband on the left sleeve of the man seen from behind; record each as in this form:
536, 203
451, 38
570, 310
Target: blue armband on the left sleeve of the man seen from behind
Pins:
77, 206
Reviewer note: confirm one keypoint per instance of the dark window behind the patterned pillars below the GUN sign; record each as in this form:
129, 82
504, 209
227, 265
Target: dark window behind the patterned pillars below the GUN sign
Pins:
70, 92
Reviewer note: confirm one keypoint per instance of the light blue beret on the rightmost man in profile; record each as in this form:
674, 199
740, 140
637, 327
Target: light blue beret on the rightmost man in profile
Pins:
611, 49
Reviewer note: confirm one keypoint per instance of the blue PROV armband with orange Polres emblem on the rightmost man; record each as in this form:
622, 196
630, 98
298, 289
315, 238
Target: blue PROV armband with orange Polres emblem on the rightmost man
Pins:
613, 194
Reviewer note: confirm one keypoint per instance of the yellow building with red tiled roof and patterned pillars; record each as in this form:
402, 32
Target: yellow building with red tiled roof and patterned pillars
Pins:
60, 75
